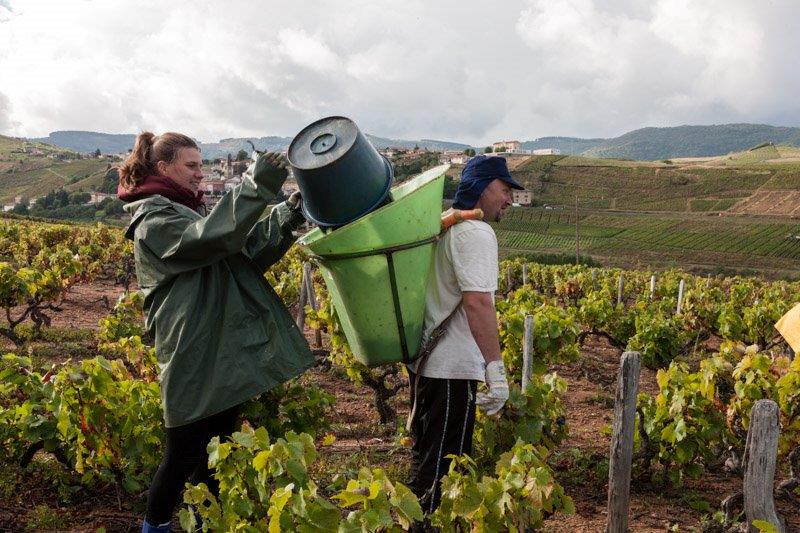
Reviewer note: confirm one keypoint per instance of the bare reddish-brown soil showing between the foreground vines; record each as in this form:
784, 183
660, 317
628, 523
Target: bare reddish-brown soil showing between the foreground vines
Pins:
579, 463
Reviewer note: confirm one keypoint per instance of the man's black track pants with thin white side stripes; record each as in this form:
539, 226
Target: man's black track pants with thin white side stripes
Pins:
443, 423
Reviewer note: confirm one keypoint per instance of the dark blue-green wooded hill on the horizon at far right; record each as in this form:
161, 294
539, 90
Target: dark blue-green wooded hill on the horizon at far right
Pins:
692, 141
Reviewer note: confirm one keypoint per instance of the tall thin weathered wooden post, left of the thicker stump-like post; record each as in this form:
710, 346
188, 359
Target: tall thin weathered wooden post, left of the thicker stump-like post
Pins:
621, 458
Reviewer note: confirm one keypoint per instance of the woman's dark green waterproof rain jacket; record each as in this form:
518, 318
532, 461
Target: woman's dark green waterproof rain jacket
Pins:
222, 335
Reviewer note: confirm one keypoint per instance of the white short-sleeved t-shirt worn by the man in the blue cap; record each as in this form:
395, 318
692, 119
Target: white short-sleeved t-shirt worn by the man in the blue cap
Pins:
465, 260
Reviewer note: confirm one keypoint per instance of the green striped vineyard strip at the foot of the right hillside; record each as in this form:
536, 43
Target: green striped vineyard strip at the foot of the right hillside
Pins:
657, 240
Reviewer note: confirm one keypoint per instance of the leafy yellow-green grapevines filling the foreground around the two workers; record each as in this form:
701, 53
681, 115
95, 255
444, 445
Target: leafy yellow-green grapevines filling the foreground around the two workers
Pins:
87, 410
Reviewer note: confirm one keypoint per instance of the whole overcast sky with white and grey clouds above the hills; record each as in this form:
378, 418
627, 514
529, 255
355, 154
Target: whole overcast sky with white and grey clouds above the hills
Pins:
466, 71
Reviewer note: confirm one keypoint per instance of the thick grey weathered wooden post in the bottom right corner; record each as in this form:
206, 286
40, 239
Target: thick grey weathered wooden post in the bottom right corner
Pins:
761, 453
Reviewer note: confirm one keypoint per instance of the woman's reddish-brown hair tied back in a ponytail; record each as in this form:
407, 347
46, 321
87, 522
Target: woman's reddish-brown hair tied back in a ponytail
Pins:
149, 150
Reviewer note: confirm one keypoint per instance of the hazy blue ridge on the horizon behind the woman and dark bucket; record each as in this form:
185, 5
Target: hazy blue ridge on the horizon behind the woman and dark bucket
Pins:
89, 141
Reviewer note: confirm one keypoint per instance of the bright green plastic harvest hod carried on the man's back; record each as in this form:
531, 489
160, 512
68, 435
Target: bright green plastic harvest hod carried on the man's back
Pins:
376, 269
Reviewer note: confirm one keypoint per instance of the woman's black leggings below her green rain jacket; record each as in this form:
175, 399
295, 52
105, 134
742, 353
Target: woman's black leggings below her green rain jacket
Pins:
185, 460
